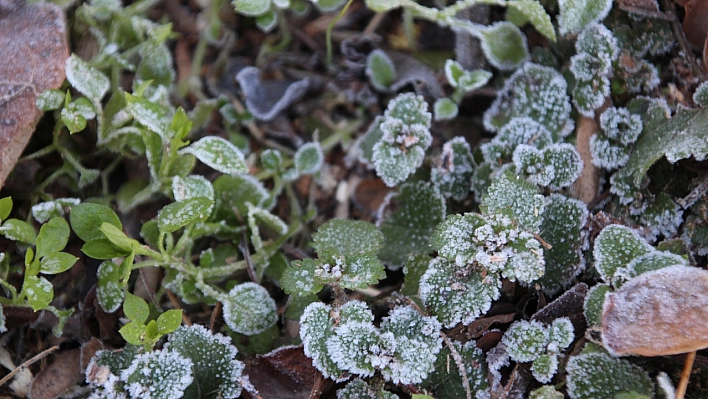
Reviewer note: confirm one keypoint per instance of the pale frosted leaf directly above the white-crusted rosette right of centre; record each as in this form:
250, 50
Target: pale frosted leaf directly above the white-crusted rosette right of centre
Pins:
512, 193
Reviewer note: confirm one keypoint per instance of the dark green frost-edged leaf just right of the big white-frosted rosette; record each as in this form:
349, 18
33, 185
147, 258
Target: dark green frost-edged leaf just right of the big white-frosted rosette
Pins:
562, 229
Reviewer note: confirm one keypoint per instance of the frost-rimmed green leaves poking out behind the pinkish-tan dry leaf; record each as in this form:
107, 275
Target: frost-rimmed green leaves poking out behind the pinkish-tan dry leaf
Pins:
621, 254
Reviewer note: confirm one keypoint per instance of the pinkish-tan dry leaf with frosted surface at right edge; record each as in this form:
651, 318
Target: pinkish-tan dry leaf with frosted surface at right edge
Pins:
662, 312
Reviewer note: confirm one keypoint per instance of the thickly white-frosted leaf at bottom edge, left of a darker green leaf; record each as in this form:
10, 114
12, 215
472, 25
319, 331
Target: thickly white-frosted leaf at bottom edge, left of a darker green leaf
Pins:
161, 374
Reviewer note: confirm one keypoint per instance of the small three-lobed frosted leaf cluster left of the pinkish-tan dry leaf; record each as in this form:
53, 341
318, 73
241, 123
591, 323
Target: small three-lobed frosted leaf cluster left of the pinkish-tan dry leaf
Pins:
531, 341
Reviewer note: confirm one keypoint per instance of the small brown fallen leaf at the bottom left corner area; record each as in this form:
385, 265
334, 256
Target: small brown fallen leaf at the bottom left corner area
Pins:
59, 376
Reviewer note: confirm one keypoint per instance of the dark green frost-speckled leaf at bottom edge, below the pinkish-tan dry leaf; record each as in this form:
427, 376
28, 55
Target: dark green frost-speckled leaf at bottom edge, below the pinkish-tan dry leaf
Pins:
598, 375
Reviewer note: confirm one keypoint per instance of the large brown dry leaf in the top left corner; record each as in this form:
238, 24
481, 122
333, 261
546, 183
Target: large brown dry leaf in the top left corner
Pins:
34, 49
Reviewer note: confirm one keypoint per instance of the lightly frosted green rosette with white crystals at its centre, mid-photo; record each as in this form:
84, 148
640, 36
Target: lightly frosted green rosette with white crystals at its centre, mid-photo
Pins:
347, 256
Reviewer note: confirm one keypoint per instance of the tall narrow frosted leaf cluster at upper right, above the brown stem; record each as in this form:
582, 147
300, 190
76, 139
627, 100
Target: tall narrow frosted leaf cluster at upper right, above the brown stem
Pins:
592, 65
